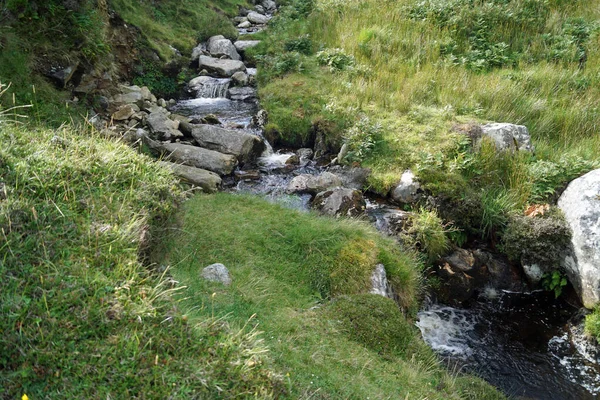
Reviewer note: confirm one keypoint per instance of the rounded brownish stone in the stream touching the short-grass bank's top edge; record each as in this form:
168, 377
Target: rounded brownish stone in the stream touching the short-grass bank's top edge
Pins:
340, 202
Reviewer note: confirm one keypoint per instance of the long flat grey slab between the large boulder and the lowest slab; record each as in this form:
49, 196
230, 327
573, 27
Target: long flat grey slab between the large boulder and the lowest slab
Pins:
222, 164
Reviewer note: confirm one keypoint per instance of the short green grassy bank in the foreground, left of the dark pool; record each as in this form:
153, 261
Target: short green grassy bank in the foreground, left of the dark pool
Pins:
301, 280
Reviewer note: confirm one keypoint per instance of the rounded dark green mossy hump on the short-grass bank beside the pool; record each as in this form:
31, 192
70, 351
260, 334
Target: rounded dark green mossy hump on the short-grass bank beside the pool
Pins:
372, 320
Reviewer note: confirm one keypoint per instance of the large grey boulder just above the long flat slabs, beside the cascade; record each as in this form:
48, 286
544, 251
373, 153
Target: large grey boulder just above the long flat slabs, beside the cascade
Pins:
244, 146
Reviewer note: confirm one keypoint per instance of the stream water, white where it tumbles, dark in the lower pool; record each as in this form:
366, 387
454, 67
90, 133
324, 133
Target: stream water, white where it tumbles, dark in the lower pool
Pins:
522, 343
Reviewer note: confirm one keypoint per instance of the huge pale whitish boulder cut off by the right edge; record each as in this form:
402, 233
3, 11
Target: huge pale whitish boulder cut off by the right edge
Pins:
580, 204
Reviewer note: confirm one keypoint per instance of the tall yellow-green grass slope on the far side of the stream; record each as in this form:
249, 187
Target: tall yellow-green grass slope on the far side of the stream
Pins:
423, 71
